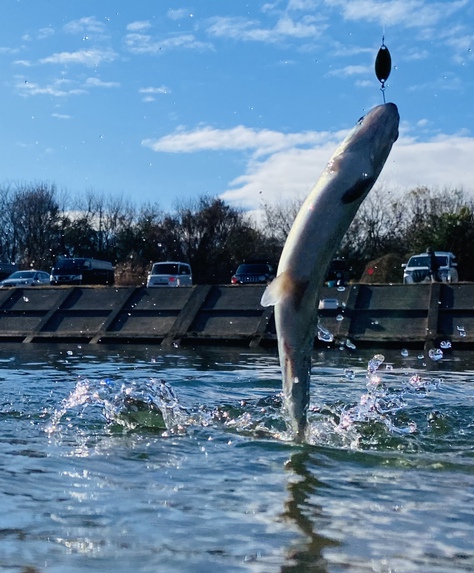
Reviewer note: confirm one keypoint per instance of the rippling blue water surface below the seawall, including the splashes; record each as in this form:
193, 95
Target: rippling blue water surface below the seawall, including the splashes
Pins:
104, 467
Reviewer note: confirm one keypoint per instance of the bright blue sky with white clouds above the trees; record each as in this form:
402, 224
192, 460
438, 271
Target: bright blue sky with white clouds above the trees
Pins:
164, 102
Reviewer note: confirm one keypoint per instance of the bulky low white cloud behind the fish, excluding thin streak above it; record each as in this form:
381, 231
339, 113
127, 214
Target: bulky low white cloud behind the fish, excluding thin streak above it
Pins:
441, 162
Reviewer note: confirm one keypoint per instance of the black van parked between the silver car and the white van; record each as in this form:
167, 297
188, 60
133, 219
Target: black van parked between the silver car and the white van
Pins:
81, 271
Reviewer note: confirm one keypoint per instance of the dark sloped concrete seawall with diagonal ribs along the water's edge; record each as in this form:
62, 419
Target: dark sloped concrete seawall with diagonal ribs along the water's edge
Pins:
421, 315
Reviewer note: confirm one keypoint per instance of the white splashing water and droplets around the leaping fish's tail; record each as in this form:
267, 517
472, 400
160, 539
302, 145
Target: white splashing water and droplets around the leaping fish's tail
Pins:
154, 405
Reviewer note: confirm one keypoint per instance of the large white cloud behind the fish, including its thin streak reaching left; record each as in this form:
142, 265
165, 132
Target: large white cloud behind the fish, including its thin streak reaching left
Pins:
285, 166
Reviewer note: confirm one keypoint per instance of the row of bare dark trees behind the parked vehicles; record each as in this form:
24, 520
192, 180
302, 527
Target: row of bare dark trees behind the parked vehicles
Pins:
39, 223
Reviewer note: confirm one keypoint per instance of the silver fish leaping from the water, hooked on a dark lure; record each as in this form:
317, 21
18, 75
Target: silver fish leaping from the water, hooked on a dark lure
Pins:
312, 241
